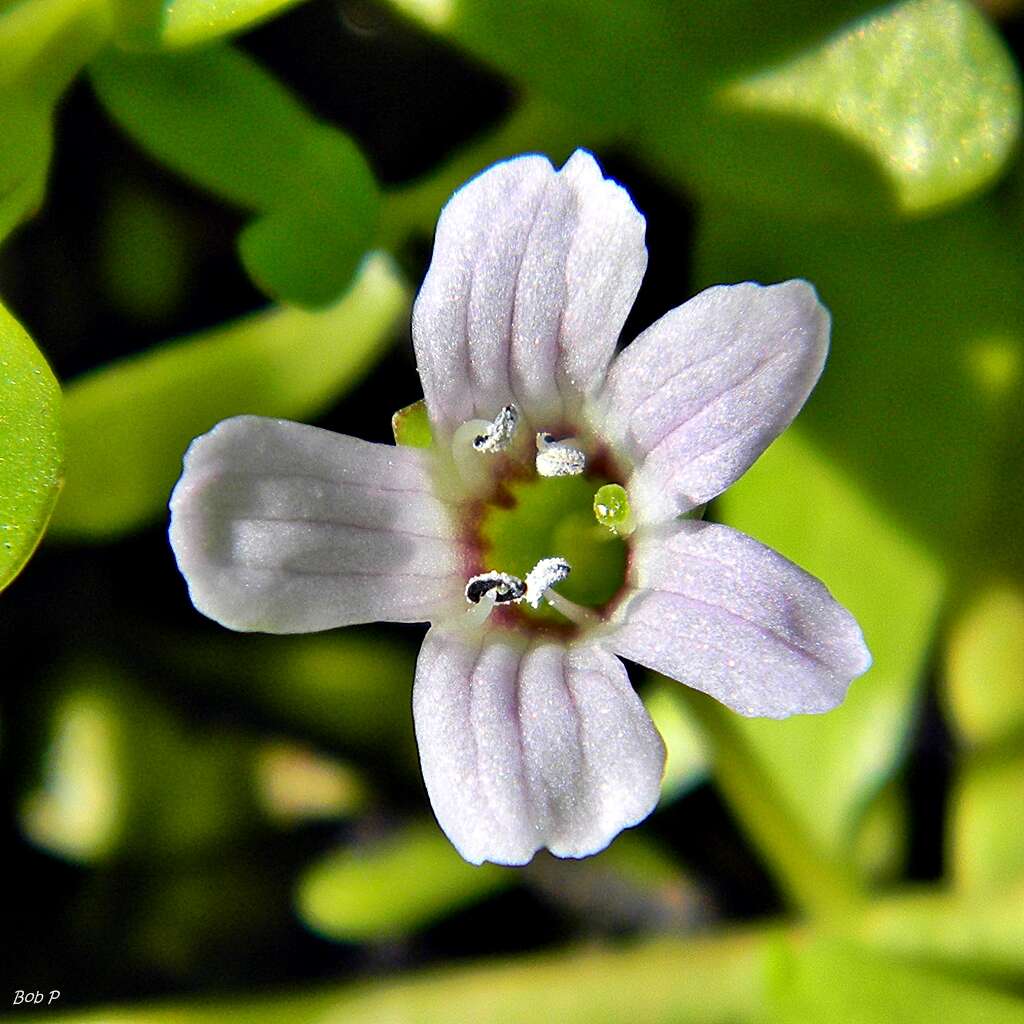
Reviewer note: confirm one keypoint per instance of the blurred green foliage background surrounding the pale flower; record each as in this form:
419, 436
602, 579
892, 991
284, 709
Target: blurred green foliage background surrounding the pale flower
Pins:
212, 792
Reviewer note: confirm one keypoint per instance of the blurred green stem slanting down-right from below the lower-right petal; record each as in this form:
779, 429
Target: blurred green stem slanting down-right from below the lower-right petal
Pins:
816, 881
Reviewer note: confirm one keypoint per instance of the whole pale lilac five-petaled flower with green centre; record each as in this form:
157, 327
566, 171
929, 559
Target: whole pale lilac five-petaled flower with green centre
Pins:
530, 733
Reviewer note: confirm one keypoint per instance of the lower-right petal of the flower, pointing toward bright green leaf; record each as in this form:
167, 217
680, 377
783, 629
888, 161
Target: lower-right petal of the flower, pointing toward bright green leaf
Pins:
723, 614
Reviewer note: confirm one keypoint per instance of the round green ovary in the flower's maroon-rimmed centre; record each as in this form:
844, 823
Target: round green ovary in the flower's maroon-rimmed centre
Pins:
554, 517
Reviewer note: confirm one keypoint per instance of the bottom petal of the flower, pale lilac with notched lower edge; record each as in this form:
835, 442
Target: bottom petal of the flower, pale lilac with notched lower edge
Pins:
525, 747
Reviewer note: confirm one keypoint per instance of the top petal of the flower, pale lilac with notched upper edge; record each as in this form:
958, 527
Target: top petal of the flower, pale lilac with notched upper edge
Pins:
533, 276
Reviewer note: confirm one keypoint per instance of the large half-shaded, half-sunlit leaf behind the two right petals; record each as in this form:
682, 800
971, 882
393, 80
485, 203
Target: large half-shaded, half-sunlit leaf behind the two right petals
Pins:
854, 491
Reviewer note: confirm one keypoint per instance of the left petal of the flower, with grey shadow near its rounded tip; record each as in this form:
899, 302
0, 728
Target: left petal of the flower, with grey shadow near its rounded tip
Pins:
287, 529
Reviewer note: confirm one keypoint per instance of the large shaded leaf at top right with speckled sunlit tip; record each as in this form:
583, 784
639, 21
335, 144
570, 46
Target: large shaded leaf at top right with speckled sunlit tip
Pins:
801, 107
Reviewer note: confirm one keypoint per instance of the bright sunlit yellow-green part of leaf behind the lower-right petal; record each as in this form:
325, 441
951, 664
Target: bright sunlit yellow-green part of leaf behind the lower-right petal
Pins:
828, 767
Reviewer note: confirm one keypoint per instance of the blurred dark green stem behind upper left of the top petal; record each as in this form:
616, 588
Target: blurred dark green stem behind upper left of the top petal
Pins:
535, 126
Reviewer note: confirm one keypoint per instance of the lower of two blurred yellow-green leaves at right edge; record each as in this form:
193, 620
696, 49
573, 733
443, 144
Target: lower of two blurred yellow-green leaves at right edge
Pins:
986, 846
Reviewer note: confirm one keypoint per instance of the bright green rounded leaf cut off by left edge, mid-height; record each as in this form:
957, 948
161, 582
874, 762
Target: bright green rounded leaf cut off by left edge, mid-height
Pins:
32, 441
